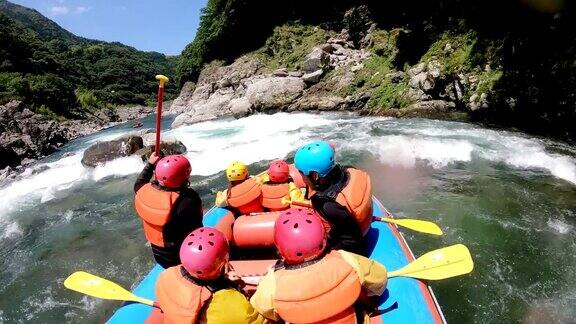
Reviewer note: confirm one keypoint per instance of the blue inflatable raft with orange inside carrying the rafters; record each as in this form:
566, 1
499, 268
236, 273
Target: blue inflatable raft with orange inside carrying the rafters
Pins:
405, 300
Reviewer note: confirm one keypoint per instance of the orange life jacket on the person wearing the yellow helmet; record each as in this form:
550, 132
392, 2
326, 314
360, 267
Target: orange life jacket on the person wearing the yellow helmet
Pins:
246, 197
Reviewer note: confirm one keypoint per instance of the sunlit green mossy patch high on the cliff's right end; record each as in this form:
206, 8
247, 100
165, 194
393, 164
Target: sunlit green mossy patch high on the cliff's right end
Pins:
454, 51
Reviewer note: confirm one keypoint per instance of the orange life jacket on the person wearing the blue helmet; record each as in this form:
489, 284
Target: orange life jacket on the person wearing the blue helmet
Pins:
356, 196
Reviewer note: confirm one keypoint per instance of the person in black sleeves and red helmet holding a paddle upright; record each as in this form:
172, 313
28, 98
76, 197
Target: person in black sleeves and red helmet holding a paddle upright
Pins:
168, 207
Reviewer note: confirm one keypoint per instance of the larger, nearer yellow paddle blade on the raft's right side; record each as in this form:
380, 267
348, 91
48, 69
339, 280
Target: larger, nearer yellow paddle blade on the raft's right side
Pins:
439, 264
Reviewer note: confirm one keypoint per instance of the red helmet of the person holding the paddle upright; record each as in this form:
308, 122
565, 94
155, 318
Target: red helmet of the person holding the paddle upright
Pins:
173, 171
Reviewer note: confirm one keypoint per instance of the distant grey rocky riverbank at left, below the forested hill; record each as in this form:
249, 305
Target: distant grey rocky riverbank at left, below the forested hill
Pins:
26, 136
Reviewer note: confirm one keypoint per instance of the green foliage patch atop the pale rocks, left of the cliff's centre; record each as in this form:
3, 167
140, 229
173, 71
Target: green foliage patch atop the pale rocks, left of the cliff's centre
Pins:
290, 43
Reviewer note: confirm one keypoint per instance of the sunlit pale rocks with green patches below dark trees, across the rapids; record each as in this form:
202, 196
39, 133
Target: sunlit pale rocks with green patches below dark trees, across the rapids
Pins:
350, 70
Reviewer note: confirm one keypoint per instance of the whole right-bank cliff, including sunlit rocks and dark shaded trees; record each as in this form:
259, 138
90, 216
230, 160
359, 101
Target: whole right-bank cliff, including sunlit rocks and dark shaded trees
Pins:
502, 63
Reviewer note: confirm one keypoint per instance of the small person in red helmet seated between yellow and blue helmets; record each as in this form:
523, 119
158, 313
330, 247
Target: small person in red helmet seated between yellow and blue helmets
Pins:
278, 189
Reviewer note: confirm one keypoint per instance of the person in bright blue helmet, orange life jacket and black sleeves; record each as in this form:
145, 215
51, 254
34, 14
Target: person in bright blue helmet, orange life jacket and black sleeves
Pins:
341, 195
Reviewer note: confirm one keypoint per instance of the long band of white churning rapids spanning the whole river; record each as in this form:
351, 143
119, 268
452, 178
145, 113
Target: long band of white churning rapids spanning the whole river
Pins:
213, 144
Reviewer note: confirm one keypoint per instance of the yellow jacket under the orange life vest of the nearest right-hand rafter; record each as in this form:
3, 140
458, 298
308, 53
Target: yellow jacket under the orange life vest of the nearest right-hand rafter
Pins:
372, 276
